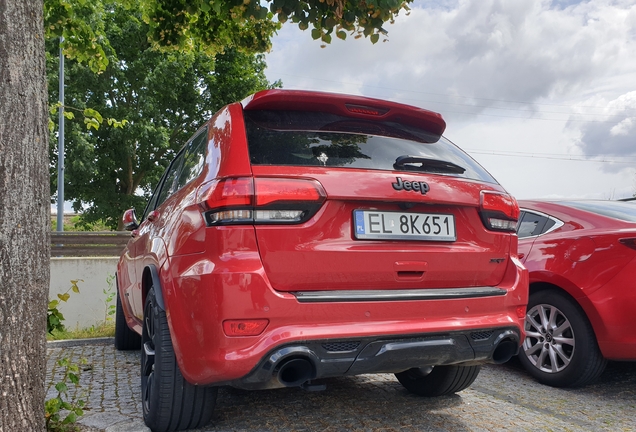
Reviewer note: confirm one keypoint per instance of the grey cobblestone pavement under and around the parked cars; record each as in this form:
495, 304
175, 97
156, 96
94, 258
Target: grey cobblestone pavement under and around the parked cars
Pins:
502, 398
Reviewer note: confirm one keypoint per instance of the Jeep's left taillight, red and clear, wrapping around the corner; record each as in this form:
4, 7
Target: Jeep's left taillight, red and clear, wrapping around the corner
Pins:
261, 200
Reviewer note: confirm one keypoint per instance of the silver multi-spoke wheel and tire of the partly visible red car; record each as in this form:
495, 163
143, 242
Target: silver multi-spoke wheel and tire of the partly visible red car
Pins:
560, 347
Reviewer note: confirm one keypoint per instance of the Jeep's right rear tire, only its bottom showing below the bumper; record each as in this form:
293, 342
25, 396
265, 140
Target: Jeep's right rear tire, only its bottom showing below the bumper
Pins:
441, 380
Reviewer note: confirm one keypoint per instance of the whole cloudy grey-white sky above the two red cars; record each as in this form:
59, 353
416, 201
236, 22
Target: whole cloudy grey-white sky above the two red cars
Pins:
541, 93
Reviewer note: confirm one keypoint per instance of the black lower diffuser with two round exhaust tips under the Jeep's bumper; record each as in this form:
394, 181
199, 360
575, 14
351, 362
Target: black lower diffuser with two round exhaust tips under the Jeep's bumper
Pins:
330, 358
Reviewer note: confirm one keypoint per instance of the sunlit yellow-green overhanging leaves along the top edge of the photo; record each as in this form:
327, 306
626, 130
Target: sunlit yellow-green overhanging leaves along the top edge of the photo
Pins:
215, 25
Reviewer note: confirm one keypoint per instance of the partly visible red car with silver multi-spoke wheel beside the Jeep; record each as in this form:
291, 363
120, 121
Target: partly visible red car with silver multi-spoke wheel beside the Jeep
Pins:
581, 256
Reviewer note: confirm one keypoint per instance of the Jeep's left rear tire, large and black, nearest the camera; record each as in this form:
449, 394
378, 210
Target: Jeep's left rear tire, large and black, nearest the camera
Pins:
169, 402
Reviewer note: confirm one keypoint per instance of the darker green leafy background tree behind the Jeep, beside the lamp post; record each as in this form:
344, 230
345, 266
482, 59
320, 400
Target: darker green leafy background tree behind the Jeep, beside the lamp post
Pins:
163, 96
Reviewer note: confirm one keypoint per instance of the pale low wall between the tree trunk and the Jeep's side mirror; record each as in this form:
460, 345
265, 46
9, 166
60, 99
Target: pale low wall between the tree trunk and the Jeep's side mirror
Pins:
89, 307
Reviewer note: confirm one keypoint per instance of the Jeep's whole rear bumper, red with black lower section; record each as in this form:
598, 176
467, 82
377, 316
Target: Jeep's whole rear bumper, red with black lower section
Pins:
393, 333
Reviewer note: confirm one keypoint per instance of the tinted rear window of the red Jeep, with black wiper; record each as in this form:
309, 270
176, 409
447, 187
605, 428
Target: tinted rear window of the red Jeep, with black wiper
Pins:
304, 138
